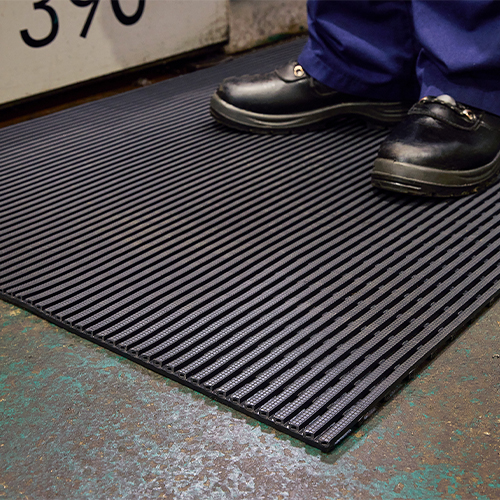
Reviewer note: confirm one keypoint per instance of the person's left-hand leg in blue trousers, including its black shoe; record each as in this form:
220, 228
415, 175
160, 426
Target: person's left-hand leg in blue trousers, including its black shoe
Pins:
359, 60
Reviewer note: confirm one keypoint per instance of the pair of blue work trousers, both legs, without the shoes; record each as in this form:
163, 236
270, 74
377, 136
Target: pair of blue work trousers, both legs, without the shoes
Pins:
402, 50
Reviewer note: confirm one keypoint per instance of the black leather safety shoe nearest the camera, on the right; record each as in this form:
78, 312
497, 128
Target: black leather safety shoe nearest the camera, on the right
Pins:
442, 148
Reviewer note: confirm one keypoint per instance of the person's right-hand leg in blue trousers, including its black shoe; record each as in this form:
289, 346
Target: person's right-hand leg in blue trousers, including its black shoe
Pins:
449, 144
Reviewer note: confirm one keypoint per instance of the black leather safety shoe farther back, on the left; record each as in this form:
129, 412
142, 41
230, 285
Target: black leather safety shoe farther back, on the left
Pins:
289, 100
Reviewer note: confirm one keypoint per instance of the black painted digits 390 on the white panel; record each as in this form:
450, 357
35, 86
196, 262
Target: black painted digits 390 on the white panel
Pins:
43, 5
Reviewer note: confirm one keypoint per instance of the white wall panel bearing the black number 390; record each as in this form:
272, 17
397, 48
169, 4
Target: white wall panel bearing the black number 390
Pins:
66, 55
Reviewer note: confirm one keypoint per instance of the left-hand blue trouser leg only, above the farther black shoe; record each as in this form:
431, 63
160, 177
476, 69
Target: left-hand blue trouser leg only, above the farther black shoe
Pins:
364, 48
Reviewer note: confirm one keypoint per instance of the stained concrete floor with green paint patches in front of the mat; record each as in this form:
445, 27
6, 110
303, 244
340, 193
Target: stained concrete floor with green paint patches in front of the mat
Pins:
79, 422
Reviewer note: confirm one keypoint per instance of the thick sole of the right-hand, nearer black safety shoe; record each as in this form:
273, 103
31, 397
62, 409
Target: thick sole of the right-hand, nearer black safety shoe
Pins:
424, 181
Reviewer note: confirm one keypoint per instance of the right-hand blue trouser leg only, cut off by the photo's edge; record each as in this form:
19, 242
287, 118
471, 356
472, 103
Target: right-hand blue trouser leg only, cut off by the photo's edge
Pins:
460, 51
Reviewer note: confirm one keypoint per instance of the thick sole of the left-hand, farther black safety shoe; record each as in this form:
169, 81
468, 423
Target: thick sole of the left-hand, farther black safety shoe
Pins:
384, 114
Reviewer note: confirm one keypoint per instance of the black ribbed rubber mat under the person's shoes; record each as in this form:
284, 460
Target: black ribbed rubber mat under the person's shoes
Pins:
263, 271
